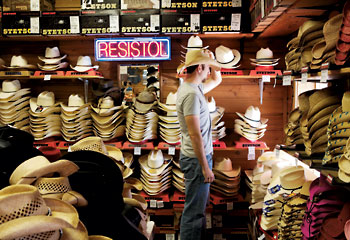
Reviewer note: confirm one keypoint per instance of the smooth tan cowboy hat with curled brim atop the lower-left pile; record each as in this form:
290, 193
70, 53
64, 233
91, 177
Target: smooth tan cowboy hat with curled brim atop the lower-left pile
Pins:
36, 167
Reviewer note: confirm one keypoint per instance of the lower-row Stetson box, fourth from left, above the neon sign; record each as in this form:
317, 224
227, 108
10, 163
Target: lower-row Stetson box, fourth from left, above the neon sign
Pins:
139, 21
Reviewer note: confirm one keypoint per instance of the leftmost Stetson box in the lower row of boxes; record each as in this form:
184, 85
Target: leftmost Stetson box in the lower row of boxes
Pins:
20, 23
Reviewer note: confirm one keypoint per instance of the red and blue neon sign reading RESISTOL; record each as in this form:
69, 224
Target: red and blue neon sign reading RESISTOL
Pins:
135, 49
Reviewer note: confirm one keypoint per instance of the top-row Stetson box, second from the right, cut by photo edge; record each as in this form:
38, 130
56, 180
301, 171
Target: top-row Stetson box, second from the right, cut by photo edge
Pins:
182, 6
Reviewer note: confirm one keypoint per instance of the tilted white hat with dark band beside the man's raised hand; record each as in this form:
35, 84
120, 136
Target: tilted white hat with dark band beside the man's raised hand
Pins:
226, 57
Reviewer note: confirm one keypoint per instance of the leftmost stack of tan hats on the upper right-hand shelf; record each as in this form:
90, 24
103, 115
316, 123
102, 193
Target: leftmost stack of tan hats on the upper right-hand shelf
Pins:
300, 47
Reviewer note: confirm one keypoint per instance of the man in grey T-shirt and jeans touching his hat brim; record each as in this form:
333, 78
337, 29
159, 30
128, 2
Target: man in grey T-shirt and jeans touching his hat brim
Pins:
196, 139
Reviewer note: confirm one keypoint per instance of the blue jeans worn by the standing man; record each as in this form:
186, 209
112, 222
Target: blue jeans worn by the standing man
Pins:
197, 192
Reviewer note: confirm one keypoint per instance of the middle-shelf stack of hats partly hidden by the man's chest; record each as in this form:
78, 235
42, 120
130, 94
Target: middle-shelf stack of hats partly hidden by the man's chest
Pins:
216, 114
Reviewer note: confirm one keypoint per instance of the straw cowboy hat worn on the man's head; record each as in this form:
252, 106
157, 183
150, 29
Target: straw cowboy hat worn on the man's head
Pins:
197, 57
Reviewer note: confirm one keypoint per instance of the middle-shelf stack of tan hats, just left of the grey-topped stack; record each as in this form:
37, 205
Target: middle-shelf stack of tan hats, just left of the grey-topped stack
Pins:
108, 119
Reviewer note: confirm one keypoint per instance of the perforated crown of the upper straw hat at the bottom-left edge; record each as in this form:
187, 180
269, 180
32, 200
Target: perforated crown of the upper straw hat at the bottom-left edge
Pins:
21, 200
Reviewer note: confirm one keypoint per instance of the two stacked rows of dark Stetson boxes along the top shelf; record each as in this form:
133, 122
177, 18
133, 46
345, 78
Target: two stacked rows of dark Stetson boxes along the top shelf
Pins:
125, 17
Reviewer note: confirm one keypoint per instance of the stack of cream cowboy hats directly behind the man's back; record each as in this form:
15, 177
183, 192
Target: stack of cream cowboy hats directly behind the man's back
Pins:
169, 126
